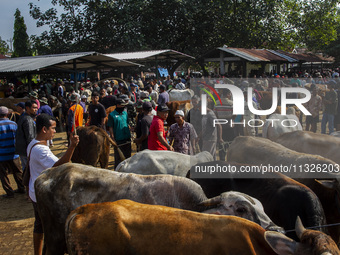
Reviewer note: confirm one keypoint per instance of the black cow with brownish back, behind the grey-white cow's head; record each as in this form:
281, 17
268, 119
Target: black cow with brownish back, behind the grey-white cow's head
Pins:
283, 198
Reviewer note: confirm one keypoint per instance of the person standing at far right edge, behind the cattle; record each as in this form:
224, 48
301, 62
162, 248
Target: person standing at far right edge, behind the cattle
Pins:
331, 102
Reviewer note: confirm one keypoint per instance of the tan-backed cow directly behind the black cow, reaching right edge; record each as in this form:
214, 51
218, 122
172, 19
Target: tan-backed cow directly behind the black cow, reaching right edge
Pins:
250, 150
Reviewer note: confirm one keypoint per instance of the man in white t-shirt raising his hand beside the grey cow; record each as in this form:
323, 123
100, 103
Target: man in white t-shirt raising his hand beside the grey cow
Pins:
42, 158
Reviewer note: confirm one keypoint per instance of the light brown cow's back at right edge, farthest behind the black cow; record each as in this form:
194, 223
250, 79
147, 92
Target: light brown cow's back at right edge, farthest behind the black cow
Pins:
312, 143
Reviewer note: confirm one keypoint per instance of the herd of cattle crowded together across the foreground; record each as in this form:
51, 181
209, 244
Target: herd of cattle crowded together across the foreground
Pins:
153, 204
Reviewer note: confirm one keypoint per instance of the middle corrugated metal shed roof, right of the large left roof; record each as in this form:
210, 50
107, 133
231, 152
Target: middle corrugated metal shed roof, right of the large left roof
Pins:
150, 55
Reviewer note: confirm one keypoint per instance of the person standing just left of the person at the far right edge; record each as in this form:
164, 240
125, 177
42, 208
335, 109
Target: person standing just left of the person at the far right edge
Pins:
314, 106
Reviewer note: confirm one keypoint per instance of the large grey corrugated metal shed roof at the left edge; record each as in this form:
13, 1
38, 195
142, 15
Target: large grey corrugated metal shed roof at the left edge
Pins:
83, 60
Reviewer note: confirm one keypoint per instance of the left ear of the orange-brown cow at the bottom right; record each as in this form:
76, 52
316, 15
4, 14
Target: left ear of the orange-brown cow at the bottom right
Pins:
281, 244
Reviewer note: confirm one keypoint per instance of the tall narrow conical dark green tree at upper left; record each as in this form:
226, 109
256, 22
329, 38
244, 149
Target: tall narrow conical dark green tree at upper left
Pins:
21, 43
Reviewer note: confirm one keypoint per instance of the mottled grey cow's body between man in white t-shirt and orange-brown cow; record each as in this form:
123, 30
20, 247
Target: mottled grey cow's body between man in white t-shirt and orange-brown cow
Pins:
61, 189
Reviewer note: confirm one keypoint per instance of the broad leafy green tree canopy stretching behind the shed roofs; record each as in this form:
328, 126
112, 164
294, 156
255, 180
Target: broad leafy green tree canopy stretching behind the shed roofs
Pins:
190, 26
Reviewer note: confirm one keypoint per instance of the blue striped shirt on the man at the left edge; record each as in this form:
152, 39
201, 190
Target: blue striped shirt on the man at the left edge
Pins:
8, 129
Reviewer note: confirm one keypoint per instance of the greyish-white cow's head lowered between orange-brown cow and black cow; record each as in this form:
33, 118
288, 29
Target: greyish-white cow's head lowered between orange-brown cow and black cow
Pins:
241, 205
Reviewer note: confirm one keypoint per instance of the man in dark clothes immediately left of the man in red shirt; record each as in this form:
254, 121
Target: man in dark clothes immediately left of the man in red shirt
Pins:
142, 135
